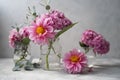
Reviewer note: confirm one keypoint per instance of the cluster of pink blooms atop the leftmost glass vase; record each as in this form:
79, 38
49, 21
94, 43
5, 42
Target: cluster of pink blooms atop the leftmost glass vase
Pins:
19, 35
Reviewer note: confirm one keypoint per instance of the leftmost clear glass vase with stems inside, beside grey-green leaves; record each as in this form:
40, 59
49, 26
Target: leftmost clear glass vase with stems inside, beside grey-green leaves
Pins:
22, 57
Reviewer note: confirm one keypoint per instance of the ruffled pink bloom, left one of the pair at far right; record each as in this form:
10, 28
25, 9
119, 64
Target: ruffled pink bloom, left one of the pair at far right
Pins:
88, 36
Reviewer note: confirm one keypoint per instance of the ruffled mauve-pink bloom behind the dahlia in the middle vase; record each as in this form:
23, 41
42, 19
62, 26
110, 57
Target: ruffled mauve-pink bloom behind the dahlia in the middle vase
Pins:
56, 19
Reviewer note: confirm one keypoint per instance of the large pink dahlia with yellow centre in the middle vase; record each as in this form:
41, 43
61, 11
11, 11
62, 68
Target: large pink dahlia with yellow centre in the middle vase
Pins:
40, 31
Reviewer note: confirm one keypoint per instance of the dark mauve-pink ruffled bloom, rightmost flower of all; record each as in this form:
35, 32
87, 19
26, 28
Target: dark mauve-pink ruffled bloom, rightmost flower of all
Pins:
101, 46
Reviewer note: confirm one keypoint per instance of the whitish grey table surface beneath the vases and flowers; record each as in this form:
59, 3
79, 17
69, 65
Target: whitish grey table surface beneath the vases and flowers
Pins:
109, 70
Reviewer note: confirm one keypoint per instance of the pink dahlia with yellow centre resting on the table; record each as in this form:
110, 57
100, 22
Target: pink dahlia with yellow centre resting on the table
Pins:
75, 61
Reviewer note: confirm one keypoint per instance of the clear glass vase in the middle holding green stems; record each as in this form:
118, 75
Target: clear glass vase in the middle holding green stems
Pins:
51, 55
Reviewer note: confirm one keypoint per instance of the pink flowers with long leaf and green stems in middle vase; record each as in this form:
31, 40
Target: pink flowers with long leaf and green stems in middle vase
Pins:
47, 27
